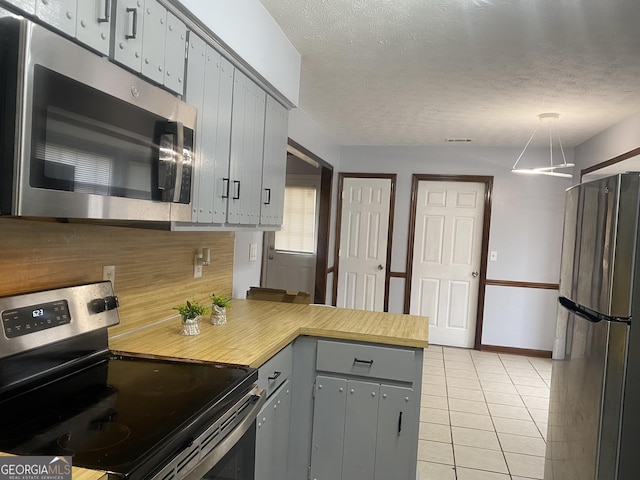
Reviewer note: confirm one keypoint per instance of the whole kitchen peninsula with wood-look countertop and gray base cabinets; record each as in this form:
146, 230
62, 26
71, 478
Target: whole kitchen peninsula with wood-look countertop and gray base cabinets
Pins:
343, 386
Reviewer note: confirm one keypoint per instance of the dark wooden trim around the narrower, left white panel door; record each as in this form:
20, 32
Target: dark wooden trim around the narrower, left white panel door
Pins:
392, 203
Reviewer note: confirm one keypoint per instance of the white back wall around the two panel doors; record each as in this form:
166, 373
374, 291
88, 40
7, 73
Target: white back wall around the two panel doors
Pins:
526, 230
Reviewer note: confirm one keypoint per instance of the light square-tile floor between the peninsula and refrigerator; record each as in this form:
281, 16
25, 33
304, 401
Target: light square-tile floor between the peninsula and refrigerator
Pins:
483, 415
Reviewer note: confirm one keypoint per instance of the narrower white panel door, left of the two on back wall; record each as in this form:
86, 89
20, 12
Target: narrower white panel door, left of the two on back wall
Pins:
364, 229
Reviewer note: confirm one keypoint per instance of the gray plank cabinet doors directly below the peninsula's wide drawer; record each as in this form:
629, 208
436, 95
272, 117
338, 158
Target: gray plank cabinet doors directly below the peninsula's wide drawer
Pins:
359, 432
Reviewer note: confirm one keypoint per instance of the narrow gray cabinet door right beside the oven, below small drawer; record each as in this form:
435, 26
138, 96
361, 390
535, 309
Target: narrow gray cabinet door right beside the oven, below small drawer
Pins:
272, 435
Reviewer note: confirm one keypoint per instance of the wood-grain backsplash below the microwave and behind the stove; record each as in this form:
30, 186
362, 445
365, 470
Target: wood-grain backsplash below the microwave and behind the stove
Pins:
154, 268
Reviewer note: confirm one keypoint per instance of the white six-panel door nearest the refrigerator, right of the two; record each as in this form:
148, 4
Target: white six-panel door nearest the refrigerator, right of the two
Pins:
446, 259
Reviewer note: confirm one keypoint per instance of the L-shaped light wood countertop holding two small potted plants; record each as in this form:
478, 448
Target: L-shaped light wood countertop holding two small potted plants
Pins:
257, 330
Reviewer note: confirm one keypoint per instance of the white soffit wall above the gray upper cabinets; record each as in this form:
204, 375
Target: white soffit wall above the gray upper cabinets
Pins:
247, 29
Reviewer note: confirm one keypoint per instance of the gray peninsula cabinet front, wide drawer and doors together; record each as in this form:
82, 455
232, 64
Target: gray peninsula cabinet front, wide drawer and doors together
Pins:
365, 411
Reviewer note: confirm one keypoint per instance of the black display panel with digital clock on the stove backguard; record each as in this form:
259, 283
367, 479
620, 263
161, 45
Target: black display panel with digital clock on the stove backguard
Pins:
34, 318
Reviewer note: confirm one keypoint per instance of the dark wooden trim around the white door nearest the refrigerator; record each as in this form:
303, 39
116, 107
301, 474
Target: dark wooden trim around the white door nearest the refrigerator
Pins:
488, 182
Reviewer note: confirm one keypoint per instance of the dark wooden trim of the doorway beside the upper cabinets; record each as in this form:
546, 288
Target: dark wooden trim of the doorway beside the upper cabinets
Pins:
324, 223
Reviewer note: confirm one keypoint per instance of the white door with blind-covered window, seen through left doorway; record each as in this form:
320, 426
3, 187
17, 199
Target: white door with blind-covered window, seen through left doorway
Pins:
290, 254
